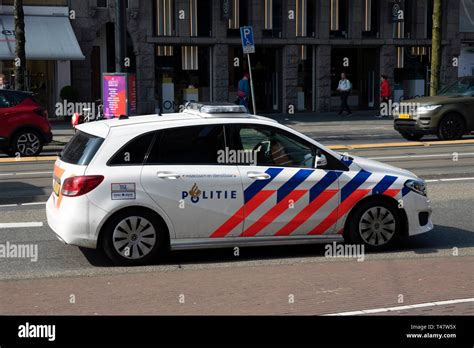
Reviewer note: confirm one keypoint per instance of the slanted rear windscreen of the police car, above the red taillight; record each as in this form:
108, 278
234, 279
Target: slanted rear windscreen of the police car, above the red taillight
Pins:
81, 149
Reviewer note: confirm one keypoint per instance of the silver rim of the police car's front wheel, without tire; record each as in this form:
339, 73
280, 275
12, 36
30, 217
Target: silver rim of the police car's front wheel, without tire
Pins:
377, 226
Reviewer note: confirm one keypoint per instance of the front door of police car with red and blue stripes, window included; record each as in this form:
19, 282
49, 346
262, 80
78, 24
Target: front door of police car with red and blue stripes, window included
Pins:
284, 194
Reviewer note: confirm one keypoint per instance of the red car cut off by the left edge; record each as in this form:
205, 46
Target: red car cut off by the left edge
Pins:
24, 125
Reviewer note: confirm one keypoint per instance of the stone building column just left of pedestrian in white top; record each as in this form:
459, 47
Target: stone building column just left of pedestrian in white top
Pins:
323, 78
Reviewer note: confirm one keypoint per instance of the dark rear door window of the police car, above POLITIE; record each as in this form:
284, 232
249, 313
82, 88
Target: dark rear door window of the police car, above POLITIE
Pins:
188, 145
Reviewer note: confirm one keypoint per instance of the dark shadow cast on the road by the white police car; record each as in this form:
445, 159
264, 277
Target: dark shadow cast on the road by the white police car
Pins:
441, 238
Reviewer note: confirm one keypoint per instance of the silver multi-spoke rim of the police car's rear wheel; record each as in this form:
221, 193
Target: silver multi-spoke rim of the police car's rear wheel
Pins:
134, 237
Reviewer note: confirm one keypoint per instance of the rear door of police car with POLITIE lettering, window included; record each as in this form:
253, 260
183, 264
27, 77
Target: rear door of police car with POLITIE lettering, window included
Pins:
189, 179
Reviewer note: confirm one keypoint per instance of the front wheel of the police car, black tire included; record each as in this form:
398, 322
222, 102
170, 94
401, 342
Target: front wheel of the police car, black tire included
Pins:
376, 224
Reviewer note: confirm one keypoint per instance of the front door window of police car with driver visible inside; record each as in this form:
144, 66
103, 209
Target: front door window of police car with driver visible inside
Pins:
274, 147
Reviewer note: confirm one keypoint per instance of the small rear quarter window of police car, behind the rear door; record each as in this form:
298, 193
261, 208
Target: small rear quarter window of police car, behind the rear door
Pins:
134, 152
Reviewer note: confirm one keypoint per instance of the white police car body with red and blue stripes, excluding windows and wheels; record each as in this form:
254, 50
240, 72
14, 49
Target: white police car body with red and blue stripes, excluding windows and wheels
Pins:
293, 206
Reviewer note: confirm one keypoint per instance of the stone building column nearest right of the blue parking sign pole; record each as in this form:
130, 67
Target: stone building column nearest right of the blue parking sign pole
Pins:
290, 77
